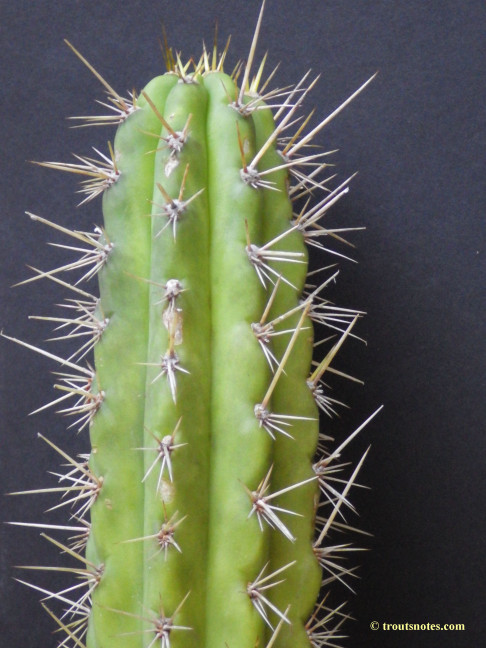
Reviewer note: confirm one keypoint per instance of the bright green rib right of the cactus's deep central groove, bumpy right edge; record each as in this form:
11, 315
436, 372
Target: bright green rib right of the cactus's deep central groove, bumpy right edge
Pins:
240, 449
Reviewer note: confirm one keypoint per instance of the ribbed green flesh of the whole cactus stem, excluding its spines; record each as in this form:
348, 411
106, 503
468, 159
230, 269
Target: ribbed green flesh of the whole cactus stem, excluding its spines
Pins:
205, 339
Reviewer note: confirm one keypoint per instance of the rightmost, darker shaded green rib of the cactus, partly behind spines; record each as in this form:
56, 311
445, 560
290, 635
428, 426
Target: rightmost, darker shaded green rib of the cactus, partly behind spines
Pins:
292, 456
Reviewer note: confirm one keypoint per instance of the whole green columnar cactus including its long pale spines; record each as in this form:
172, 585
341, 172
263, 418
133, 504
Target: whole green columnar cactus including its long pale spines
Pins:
194, 520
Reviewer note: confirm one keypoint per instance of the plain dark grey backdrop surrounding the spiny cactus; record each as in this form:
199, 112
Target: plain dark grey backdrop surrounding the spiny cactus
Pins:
417, 138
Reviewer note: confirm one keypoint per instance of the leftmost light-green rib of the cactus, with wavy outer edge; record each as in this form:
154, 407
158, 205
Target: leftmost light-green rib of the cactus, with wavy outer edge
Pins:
118, 426
